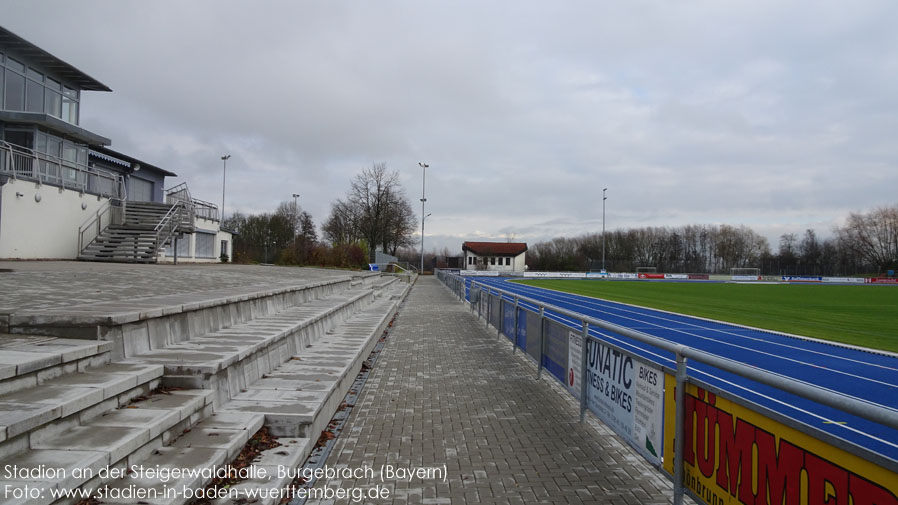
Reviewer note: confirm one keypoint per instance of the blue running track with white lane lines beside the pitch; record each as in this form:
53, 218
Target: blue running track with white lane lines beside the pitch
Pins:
865, 375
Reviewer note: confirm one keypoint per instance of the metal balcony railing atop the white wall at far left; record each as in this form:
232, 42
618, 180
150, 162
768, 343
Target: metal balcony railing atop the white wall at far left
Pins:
20, 162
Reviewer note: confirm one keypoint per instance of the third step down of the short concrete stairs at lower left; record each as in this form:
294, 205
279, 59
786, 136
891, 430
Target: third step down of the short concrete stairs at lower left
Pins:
75, 458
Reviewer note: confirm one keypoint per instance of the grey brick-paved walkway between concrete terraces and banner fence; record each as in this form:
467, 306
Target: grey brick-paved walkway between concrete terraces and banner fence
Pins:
447, 394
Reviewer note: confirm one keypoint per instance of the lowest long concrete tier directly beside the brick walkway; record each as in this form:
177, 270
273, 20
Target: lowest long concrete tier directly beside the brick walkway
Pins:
299, 397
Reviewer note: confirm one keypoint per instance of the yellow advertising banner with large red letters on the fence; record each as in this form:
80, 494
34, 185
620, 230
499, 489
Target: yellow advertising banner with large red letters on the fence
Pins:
733, 455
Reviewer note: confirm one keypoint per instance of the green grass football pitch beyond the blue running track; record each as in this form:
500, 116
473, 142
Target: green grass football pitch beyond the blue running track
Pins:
860, 315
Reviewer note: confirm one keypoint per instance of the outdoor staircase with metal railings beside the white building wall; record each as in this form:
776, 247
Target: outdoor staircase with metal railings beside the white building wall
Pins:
138, 234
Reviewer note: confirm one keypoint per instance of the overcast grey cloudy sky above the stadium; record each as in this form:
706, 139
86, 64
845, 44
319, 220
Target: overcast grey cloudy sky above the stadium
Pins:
779, 115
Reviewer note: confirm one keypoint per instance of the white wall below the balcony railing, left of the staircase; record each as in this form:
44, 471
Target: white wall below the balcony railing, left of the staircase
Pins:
42, 230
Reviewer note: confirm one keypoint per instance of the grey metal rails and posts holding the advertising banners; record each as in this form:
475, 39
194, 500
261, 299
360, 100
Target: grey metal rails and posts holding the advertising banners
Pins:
494, 305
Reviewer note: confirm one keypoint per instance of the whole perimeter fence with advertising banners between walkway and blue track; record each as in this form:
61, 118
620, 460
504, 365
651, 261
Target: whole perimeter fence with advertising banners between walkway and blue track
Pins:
716, 446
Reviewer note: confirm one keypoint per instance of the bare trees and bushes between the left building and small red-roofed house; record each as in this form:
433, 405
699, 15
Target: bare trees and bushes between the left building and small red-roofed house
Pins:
375, 213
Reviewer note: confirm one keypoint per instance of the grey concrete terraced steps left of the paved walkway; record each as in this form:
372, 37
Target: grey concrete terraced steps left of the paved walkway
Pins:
86, 419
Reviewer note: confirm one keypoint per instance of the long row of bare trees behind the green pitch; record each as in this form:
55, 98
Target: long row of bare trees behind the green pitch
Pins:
867, 243
